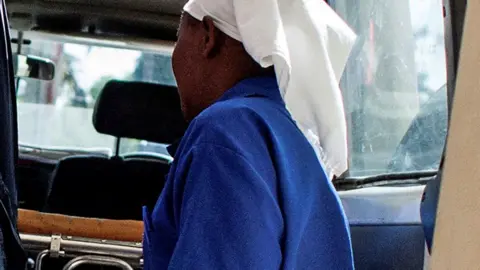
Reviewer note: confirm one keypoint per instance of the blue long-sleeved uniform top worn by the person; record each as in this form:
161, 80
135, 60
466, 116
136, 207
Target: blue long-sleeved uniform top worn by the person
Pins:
246, 191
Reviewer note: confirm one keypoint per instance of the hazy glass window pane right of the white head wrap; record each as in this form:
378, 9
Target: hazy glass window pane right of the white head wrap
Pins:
394, 85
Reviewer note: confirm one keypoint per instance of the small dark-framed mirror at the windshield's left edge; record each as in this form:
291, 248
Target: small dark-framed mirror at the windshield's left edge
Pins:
29, 66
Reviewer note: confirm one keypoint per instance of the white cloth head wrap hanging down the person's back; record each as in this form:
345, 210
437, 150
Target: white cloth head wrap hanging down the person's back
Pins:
308, 44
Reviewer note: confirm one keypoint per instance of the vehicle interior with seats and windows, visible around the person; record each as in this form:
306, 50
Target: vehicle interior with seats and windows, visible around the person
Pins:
96, 118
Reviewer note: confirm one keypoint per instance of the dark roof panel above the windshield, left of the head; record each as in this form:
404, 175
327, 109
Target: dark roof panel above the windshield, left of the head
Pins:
140, 18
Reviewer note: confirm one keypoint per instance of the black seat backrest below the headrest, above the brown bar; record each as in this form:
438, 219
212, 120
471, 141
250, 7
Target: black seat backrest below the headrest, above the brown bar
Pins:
105, 188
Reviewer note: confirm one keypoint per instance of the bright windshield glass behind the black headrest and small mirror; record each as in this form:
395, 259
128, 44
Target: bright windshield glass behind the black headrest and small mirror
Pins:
58, 114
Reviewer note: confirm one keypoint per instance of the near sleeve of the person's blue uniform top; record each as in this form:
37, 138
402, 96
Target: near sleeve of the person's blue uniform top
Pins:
228, 216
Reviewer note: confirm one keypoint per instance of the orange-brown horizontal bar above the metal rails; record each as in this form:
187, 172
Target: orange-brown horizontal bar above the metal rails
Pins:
32, 222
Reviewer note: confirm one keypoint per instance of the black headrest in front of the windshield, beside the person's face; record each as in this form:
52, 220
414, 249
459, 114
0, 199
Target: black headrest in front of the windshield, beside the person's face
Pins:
139, 110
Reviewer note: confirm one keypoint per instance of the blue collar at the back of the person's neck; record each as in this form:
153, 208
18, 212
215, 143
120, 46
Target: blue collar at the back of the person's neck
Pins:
259, 86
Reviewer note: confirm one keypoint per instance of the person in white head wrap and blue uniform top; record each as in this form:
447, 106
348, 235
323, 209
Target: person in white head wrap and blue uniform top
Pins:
247, 188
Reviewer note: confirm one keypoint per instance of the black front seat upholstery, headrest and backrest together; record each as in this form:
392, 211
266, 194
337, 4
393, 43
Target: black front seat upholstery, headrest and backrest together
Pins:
118, 187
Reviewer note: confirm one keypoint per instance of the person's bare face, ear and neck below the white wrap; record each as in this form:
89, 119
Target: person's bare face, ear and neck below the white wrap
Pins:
206, 63
